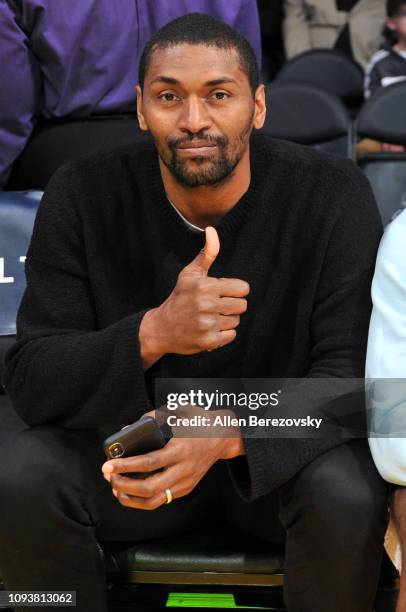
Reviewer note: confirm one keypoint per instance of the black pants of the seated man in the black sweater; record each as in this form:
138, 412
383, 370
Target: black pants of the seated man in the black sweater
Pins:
55, 506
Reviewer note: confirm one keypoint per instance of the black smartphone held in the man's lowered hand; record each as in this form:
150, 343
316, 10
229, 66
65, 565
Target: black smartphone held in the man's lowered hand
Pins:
140, 437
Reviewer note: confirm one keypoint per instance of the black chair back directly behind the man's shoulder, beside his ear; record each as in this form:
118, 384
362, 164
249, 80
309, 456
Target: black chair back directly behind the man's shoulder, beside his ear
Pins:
306, 114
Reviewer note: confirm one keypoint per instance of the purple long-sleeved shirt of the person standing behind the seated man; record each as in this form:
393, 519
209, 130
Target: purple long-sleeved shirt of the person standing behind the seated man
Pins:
78, 57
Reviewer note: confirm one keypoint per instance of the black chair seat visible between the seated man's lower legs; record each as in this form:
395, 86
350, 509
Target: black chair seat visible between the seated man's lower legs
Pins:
208, 566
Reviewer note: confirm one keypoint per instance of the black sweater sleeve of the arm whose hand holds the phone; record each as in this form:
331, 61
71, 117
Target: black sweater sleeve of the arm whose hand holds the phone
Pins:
339, 330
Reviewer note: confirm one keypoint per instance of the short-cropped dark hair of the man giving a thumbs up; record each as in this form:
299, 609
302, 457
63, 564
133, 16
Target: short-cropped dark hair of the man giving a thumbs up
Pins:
199, 28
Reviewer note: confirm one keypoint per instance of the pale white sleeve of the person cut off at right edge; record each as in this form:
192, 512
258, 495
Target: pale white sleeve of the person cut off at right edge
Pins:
386, 355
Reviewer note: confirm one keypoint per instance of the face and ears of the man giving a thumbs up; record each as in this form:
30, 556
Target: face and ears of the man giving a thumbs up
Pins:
199, 107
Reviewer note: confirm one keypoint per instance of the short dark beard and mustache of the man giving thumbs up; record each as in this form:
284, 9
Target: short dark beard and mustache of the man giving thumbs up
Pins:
205, 171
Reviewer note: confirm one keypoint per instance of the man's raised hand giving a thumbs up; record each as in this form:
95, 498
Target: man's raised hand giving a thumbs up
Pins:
201, 314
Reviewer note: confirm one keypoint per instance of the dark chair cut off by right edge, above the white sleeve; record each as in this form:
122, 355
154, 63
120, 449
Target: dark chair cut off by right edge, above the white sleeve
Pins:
383, 118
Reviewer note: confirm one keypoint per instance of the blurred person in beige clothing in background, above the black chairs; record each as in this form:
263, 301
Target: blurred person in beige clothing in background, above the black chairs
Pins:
352, 26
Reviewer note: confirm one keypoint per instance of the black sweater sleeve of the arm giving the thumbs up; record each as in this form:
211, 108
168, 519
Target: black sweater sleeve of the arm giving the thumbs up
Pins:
64, 369
